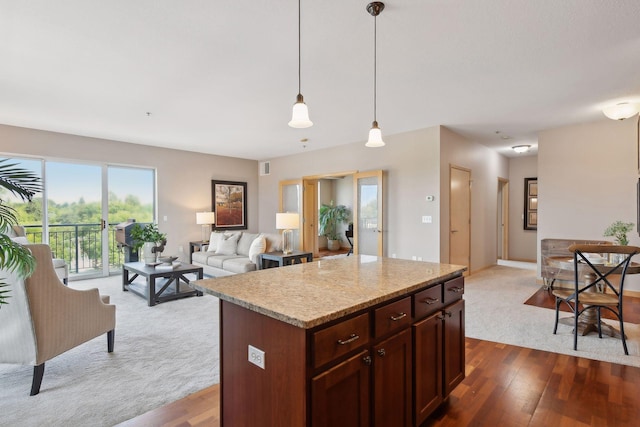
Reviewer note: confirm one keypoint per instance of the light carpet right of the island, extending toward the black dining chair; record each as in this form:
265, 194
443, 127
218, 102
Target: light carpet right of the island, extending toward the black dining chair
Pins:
495, 311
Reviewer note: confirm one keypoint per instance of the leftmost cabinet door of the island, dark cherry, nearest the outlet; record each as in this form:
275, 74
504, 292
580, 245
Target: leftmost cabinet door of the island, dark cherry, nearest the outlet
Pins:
340, 395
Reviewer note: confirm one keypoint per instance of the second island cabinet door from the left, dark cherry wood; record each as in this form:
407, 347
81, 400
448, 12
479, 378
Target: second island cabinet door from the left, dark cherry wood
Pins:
392, 381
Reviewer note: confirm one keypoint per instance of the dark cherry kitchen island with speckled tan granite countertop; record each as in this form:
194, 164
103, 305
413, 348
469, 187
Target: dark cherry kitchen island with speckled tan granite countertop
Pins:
356, 341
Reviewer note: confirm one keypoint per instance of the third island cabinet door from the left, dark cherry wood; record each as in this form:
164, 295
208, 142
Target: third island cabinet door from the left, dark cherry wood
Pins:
428, 366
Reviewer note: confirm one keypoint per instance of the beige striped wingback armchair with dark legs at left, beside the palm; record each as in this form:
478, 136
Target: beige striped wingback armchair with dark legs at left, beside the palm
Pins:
44, 318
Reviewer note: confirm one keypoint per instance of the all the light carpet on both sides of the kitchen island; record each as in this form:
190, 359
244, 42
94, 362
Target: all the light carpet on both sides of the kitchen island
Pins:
166, 352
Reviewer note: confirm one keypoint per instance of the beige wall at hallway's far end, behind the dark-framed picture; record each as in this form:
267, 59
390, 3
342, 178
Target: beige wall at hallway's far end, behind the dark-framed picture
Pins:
522, 243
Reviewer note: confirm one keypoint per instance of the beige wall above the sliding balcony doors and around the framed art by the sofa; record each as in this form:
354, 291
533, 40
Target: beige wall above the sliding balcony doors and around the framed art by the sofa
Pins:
183, 178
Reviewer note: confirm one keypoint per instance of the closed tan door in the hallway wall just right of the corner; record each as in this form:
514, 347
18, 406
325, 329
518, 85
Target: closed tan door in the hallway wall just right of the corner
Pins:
460, 216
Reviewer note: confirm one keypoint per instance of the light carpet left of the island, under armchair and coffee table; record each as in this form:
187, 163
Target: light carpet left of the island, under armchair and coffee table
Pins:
162, 353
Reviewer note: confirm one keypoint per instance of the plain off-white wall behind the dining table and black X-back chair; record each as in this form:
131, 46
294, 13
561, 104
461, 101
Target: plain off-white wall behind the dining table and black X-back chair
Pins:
587, 177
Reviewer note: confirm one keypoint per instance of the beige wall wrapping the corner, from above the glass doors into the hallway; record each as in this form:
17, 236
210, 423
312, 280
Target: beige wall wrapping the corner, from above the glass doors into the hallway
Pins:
414, 169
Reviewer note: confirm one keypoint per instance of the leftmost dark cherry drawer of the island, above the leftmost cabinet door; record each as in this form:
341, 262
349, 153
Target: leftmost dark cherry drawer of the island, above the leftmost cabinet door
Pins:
339, 339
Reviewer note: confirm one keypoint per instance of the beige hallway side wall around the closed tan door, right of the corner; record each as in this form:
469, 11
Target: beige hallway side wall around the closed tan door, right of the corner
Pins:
486, 167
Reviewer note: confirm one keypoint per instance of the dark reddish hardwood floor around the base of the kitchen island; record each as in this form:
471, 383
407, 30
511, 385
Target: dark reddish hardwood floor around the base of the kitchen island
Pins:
505, 386
